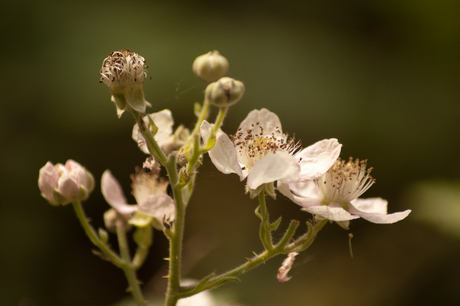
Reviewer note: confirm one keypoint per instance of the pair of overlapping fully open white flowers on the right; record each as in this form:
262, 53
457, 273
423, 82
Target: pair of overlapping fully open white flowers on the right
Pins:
314, 177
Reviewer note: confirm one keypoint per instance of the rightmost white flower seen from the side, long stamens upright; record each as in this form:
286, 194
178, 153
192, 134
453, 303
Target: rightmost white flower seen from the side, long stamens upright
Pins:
334, 196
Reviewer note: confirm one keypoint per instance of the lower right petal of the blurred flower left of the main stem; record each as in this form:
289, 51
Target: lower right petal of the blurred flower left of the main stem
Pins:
158, 206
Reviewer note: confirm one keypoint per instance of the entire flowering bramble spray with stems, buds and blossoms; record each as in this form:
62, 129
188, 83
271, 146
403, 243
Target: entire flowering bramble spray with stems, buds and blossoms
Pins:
270, 160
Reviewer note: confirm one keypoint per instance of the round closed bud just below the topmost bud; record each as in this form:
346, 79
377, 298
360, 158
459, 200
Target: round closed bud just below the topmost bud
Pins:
225, 92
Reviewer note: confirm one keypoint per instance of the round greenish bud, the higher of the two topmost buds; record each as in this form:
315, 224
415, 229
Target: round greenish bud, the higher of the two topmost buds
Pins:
210, 66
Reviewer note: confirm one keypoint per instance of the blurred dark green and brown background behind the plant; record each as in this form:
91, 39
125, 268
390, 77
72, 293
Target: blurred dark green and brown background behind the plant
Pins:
381, 76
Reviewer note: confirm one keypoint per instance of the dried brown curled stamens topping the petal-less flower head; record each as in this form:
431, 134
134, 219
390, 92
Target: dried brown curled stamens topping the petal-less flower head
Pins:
122, 68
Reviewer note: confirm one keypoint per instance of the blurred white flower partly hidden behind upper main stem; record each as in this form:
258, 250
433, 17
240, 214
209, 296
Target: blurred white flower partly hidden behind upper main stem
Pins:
164, 136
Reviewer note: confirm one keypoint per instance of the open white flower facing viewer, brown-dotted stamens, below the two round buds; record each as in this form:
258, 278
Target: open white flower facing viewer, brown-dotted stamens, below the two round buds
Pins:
261, 152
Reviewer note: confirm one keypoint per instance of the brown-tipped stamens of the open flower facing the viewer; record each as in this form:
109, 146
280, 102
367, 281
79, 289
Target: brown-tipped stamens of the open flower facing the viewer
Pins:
252, 145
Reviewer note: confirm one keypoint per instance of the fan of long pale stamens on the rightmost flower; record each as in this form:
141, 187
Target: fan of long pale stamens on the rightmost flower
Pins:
345, 181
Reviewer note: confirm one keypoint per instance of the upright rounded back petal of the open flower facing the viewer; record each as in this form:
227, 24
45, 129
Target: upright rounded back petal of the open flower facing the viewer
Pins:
269, 121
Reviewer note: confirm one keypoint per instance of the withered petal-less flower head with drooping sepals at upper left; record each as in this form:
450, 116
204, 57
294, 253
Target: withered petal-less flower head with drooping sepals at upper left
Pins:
123, 72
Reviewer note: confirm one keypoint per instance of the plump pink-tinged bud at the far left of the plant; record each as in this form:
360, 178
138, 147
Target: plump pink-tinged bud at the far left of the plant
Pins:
62, 184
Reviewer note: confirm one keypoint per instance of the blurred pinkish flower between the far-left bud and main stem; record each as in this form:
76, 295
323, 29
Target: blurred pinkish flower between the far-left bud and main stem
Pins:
154, 204
